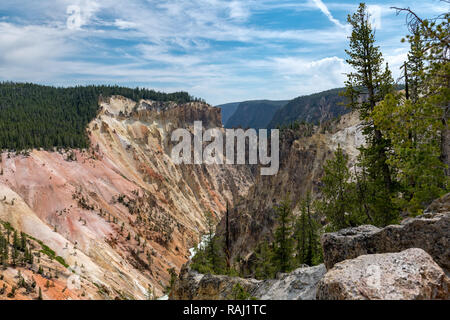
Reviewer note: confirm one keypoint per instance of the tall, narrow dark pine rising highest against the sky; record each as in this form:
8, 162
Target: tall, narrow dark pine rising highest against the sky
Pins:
365, 87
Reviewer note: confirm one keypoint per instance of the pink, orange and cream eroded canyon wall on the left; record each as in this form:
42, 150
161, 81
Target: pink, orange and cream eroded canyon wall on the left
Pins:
121, 213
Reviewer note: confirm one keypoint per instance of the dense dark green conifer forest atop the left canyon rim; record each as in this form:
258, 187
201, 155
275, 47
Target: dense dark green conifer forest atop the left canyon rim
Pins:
37, 116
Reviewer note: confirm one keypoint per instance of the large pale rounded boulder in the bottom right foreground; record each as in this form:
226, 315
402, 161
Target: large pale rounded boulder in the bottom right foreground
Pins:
408, 275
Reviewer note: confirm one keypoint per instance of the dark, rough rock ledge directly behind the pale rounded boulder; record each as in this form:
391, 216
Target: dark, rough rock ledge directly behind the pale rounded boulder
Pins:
430, 232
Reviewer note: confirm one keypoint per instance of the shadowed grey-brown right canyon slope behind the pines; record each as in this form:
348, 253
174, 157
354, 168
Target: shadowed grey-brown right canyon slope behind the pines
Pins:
301, 166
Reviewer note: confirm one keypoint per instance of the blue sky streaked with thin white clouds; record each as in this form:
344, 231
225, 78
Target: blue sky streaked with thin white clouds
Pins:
222, 51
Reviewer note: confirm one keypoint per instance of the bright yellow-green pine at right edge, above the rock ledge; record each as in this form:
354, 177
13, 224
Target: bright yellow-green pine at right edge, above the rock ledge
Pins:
416, 126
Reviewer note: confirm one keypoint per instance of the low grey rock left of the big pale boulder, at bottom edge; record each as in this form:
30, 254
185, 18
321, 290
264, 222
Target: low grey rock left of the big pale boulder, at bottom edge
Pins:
300, 284
